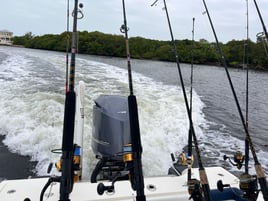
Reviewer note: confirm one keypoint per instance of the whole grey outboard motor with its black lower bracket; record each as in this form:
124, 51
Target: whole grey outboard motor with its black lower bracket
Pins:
111, 132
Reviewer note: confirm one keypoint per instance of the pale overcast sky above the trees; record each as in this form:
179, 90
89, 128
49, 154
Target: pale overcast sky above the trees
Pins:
49, 16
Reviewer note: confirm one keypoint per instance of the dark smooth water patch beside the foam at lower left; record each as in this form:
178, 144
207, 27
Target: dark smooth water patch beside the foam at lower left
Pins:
14, 166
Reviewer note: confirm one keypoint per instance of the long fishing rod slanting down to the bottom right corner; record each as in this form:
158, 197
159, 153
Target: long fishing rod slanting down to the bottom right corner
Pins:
258, 168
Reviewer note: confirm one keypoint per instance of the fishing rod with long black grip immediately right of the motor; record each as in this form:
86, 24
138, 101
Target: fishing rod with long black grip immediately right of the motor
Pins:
137, 179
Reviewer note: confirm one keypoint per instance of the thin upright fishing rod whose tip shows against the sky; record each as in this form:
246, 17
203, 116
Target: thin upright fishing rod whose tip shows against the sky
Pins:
190, 148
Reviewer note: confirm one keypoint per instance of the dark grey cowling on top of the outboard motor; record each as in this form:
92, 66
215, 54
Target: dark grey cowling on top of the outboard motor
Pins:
111, 131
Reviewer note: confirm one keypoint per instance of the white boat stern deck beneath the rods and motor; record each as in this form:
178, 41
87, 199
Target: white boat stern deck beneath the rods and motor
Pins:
166, 188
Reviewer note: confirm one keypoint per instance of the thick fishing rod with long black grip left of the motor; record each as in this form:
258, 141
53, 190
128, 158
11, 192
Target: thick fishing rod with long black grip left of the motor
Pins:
70, 159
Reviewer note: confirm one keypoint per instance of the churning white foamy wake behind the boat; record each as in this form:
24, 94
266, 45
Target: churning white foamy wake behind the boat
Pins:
32, 107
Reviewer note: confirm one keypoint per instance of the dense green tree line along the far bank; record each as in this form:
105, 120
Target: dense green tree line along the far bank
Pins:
204, 52
